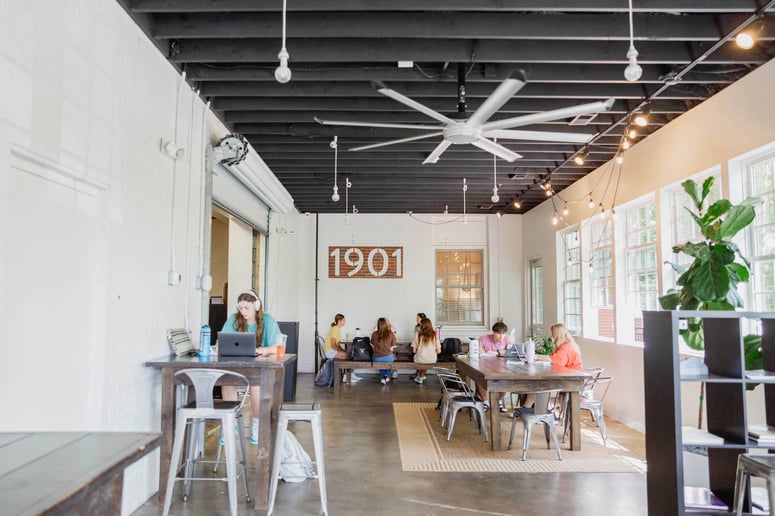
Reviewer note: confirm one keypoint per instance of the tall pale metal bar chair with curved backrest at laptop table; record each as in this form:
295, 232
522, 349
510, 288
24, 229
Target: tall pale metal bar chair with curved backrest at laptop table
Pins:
188, 427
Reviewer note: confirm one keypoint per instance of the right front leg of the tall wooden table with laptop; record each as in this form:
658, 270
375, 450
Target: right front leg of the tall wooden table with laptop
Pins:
271, 383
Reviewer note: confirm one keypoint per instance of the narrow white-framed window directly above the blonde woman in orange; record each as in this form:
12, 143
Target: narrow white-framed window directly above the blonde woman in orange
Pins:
569, 273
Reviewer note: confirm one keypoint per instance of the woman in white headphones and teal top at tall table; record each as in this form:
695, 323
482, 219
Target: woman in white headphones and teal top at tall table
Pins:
250, 317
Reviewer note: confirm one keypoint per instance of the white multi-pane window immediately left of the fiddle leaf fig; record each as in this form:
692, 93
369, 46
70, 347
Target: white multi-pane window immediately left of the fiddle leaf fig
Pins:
641, 268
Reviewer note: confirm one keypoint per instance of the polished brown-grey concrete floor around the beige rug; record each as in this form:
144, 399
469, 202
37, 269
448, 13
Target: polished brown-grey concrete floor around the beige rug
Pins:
364, 476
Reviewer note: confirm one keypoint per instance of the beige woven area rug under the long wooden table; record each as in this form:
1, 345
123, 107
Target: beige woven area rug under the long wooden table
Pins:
424, 447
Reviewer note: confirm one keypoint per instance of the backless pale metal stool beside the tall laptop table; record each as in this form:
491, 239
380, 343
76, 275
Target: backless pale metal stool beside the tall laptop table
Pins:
299, 412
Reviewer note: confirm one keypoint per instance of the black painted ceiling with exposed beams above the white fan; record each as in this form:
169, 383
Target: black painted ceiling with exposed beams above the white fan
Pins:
570, 51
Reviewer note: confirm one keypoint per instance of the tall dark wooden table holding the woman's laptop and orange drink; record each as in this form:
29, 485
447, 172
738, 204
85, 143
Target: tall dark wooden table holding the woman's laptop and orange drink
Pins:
265, 372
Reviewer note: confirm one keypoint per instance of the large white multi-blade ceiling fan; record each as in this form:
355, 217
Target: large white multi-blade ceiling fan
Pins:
476, 129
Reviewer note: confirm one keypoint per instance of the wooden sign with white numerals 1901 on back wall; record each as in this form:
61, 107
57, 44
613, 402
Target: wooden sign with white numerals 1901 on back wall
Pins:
365, 262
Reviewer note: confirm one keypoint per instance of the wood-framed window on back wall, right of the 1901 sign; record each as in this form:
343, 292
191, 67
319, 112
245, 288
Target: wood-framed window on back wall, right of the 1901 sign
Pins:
460, 287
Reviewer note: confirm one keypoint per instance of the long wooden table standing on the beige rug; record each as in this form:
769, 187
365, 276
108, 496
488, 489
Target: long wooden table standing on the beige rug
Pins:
496, 375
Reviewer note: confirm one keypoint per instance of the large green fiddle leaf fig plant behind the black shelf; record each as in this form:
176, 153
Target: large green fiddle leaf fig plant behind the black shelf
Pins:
710, 281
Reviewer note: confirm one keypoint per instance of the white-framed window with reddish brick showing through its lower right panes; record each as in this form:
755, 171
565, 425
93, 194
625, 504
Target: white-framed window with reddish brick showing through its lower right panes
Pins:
600, 318
